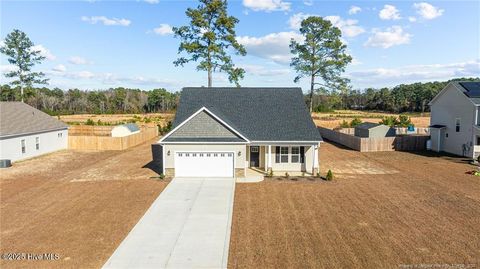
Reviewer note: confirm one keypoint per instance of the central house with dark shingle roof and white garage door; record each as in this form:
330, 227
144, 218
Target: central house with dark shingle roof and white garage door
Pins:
221, 132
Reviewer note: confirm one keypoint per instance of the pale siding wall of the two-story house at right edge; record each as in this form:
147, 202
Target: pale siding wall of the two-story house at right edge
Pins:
452, 104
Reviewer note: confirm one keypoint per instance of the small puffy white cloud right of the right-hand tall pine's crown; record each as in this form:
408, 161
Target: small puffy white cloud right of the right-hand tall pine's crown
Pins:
392, 36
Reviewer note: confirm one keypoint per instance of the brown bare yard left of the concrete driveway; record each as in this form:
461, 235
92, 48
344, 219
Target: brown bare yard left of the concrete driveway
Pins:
78, 205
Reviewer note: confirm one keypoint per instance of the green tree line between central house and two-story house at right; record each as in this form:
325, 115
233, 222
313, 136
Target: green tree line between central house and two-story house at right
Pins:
401, 98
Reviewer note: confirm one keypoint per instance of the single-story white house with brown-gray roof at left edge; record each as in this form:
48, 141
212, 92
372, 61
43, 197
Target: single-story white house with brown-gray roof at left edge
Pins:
27, 132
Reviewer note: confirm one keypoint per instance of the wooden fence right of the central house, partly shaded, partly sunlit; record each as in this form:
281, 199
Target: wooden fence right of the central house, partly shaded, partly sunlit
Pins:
401, 143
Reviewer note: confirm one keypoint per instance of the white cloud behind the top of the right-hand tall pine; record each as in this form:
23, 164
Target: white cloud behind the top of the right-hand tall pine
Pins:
349, 28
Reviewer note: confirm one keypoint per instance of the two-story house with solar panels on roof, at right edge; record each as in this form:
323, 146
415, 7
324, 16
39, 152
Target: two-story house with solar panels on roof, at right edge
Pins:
455, 119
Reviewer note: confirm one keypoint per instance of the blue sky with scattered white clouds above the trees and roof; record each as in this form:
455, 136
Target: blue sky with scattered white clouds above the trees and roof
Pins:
103, 44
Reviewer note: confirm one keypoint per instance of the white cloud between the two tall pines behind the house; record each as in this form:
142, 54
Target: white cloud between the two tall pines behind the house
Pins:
274, 46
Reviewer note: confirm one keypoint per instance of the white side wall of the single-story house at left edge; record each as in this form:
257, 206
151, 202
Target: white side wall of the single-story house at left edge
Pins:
11, 148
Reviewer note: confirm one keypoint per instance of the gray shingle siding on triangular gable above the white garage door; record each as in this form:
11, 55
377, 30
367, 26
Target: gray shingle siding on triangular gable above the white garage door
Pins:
203, 125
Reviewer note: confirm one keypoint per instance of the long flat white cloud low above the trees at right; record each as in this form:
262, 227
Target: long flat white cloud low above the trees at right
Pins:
414, 73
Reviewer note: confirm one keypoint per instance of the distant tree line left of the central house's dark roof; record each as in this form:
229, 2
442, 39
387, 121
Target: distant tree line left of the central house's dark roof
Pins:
74, 101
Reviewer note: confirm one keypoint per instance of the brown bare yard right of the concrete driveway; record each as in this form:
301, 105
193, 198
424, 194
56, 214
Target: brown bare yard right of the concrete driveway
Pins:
404, 210
